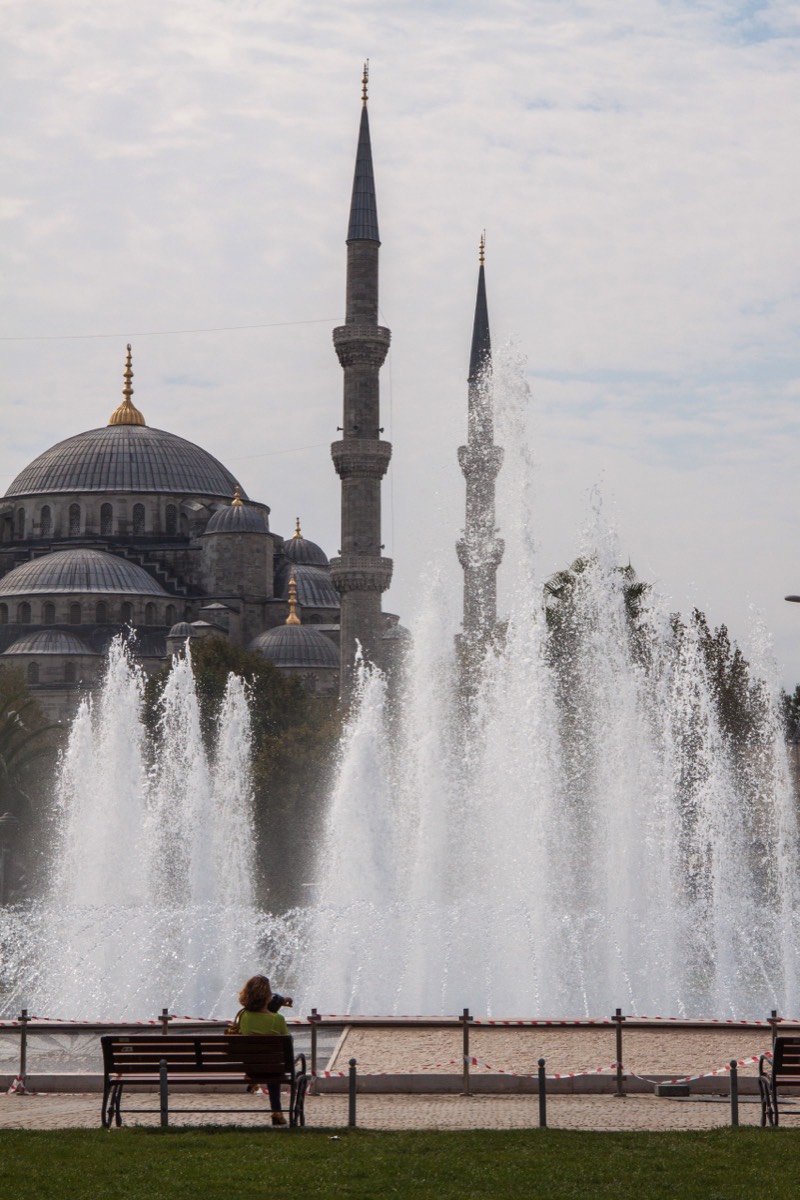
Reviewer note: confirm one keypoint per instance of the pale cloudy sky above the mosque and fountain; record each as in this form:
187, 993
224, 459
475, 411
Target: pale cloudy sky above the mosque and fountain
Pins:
178, 176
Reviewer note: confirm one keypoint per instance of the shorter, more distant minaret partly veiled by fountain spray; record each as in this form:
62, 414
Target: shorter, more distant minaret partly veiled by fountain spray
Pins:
480, 550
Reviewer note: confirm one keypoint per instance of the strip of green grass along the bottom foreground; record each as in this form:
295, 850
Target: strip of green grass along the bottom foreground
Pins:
225, 1165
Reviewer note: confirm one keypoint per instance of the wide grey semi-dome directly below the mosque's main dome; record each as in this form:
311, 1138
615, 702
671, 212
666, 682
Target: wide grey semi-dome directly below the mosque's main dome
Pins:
80, 571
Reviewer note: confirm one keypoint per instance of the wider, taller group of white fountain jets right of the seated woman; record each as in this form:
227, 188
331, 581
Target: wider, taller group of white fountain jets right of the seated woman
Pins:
579, 835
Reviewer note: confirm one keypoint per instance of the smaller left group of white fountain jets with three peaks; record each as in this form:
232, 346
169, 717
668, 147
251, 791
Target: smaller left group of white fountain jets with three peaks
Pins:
152, 901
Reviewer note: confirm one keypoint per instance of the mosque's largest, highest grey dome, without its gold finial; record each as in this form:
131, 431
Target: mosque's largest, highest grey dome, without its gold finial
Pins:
125, 459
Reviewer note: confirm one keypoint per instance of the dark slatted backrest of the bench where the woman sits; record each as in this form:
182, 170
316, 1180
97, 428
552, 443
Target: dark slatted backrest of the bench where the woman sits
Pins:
263, 1057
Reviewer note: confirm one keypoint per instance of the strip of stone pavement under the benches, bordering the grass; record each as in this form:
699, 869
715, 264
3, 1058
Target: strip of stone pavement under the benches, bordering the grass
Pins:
82, 1112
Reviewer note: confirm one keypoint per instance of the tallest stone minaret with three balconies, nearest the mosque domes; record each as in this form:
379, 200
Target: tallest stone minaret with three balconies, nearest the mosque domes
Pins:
362, 459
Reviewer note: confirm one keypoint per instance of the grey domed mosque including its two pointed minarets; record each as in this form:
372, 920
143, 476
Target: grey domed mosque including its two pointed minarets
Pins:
130, 529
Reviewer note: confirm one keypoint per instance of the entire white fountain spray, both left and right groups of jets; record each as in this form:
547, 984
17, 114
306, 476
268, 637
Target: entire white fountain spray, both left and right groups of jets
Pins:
575, 831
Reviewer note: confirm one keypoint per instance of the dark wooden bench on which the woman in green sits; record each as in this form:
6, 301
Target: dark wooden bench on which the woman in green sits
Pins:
153, 1060
